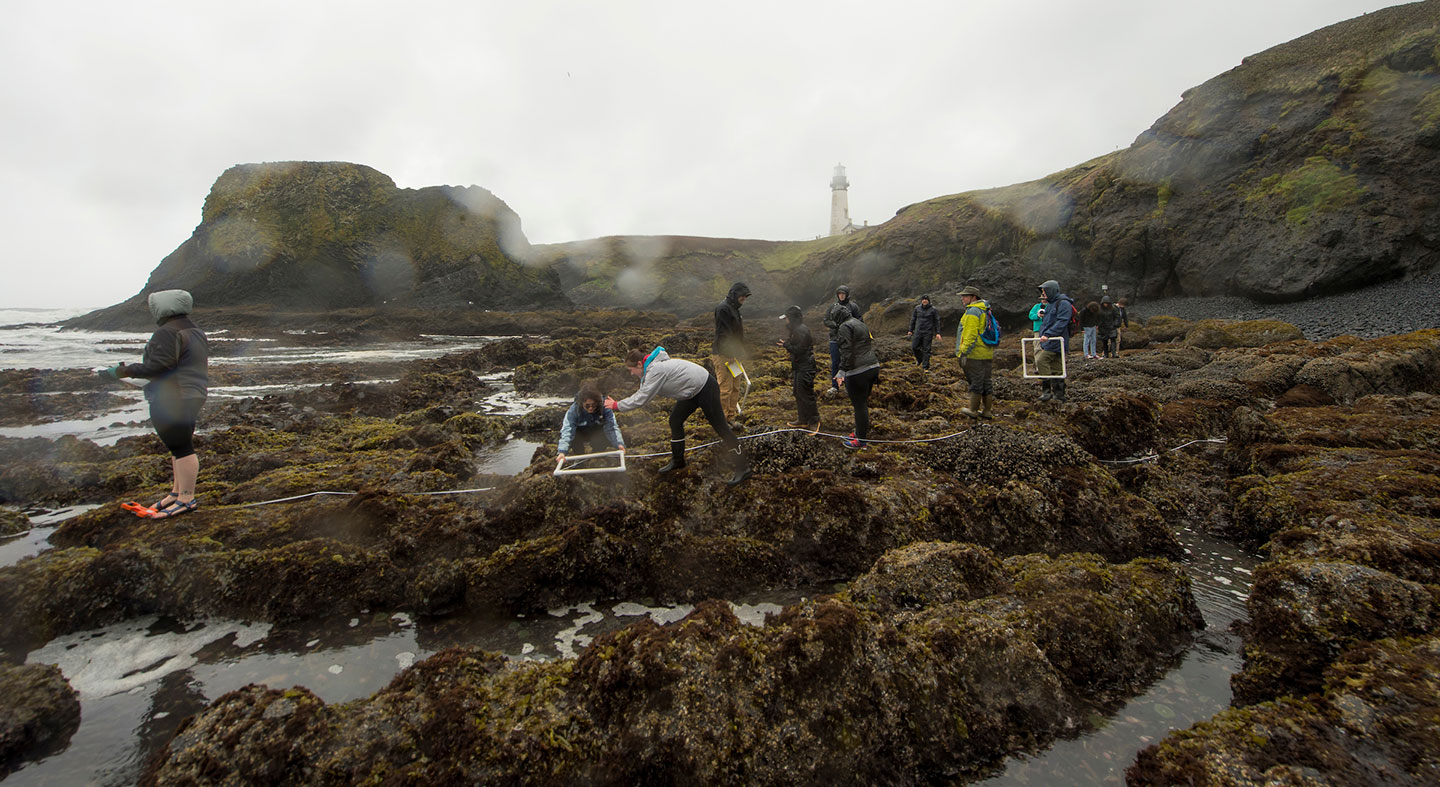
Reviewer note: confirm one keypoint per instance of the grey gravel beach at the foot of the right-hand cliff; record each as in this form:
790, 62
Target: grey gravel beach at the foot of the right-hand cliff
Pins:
1396, 307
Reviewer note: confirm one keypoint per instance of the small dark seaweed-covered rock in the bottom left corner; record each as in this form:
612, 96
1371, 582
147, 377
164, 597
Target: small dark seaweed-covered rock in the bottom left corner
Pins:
40, 714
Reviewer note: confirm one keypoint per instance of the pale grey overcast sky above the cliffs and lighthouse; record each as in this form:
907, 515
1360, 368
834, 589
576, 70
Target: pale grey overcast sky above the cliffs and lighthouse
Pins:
590, 119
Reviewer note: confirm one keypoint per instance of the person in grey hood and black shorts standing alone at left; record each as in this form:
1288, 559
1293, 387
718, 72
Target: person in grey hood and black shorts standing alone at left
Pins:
176, 363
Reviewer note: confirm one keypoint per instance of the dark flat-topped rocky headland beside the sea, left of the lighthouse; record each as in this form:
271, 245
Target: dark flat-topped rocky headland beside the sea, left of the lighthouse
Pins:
335, 235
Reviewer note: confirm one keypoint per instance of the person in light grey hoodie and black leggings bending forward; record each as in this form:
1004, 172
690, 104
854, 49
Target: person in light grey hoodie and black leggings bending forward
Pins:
693, 388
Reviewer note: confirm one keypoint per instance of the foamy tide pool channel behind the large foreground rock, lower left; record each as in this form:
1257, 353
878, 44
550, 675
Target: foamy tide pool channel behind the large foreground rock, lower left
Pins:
142, 678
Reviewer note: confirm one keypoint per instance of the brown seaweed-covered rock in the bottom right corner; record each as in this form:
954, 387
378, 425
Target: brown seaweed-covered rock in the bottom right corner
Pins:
1374, 723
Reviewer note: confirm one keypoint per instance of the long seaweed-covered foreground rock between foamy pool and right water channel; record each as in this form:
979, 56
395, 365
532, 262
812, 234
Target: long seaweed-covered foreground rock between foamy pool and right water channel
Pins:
829, 691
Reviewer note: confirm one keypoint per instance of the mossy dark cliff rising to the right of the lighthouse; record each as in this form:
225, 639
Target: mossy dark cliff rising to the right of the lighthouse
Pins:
1310, 169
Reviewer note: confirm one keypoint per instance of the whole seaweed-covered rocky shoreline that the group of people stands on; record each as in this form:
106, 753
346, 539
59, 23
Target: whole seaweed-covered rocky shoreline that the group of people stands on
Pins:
997, 582
